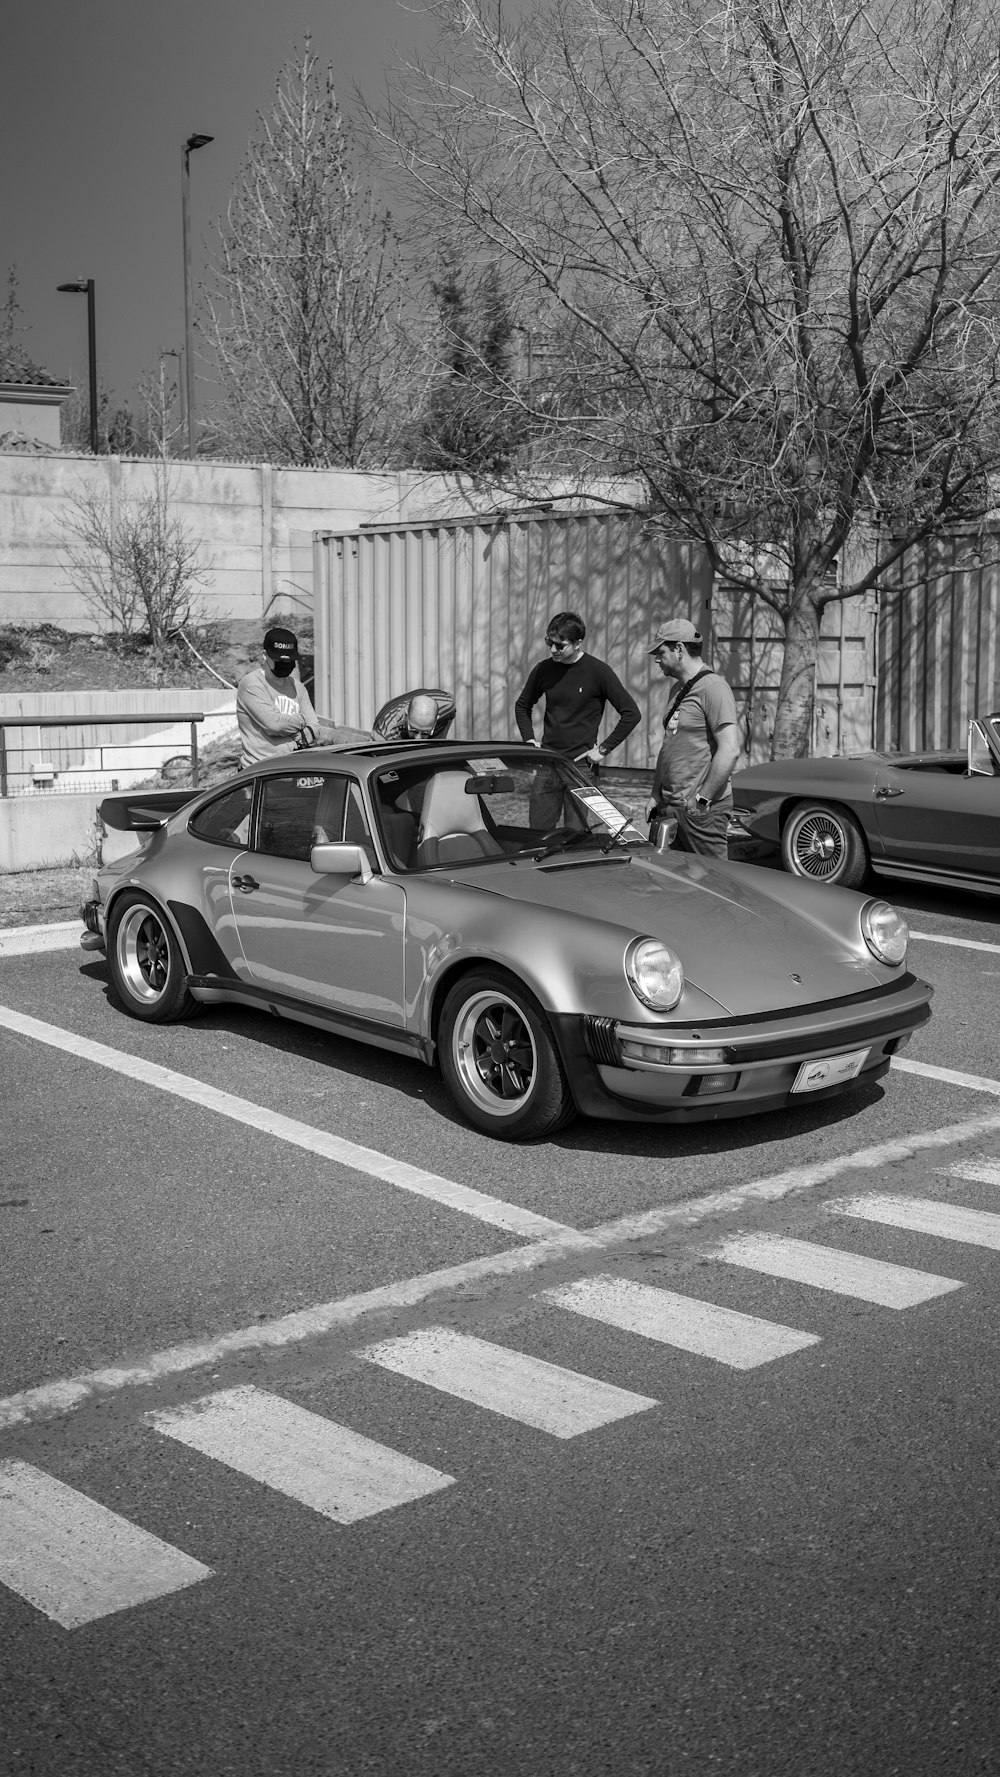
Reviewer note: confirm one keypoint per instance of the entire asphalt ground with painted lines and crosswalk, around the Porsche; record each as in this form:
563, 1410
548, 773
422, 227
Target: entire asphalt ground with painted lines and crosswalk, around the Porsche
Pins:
212, 1223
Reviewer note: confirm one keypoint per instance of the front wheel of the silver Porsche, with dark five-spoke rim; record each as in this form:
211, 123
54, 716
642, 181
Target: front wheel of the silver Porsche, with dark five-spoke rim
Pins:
516, 1099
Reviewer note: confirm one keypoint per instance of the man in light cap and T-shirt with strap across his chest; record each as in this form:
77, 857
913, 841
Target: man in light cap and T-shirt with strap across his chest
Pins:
701, 744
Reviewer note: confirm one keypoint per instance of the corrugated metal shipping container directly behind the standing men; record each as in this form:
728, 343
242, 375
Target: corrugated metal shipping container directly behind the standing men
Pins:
466, 605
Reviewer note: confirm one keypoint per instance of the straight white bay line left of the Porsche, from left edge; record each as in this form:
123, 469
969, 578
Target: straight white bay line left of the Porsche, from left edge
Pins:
329, 1147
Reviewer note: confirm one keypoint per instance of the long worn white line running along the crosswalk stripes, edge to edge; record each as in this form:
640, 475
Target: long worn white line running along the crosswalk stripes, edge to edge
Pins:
74, 1392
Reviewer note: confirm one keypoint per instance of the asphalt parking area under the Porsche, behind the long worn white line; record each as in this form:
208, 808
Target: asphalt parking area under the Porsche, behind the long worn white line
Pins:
207, 1220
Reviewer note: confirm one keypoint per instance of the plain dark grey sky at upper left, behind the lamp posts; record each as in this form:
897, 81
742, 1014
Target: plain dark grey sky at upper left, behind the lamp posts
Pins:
99, 99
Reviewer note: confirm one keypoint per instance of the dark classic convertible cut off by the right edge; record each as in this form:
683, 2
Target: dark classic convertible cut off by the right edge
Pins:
933, 818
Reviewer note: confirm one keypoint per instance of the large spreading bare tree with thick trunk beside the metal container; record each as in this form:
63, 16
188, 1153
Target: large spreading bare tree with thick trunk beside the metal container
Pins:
763, 241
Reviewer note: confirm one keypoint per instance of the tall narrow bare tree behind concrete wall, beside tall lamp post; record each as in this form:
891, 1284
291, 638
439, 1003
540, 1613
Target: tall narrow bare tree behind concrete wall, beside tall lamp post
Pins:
306, 299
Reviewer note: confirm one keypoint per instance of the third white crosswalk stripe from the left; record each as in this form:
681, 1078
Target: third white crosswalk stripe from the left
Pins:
532, 1391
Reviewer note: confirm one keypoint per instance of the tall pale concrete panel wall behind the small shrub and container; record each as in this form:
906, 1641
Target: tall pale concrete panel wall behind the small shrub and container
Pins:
255, 525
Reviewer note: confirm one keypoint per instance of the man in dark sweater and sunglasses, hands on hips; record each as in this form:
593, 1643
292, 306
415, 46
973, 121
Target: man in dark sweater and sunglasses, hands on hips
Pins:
576, 689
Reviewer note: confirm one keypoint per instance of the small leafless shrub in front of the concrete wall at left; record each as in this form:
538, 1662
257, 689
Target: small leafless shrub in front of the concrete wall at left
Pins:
134, 562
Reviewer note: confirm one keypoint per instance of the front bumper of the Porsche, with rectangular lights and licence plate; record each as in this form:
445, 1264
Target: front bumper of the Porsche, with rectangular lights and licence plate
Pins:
750, 1064
